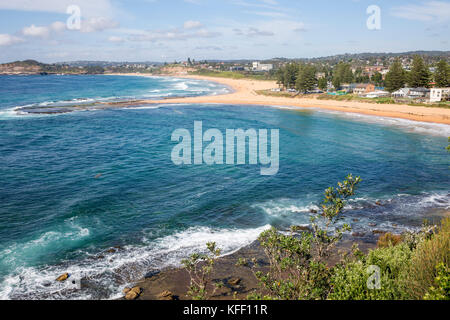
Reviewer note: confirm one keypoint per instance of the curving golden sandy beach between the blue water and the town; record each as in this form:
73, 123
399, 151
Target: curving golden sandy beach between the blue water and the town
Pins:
245, 93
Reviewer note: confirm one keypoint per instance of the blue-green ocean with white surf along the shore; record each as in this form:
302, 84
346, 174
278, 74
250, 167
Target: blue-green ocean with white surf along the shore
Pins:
95, 193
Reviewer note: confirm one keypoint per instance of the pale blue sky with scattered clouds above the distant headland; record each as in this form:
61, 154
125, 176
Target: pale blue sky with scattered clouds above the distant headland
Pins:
173, 30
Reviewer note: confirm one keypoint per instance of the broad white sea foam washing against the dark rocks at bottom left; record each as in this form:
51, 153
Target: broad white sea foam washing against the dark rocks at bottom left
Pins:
111, 272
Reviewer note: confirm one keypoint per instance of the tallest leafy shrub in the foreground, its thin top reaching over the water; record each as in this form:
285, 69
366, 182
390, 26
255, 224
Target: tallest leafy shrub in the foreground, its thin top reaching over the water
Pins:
298, 269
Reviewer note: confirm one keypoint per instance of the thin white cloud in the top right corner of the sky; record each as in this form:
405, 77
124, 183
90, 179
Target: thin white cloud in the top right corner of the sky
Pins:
438, 11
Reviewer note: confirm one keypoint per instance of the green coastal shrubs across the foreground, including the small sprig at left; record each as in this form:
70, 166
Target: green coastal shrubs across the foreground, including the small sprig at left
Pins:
410, 266
